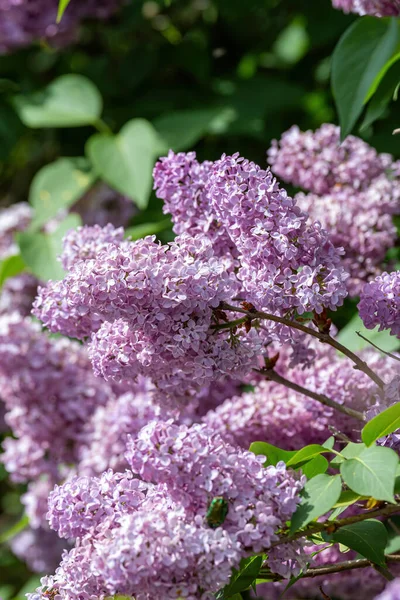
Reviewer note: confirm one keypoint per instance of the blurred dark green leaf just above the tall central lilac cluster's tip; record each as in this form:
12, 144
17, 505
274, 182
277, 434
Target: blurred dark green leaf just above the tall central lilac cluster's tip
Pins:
183, 129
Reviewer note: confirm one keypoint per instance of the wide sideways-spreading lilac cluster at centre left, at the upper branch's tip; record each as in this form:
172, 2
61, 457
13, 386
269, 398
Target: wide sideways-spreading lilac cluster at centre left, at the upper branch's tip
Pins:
150, 309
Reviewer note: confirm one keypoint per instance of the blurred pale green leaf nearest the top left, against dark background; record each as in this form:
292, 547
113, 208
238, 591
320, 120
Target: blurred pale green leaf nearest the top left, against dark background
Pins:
69, 101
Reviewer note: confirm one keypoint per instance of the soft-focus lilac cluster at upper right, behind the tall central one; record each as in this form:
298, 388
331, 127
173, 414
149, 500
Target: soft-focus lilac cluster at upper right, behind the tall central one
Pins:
354, 193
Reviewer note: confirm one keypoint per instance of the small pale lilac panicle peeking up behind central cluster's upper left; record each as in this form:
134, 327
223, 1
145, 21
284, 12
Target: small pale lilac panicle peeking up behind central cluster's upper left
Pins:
85, 243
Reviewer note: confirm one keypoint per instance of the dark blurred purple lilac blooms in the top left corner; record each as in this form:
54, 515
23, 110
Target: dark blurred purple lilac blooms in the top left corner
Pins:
24, 22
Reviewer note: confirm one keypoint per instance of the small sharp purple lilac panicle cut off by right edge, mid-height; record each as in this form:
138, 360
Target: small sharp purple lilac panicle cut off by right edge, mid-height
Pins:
380, 303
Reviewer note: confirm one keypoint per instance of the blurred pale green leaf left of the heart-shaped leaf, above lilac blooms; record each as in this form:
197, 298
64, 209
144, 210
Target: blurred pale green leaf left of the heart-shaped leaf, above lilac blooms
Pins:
58, 186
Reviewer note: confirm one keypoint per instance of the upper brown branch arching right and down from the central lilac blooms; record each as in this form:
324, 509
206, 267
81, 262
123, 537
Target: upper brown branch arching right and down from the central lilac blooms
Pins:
325, 338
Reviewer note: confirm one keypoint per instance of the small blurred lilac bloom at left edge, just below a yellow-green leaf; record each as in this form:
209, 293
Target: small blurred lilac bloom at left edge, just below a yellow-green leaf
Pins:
18, 294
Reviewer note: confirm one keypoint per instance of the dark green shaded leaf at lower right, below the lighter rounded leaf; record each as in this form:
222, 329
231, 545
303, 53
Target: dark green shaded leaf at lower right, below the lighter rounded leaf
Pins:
368, 537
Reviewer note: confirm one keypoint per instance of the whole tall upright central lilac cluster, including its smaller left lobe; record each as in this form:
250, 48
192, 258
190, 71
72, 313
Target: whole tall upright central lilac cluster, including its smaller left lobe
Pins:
284, 263
